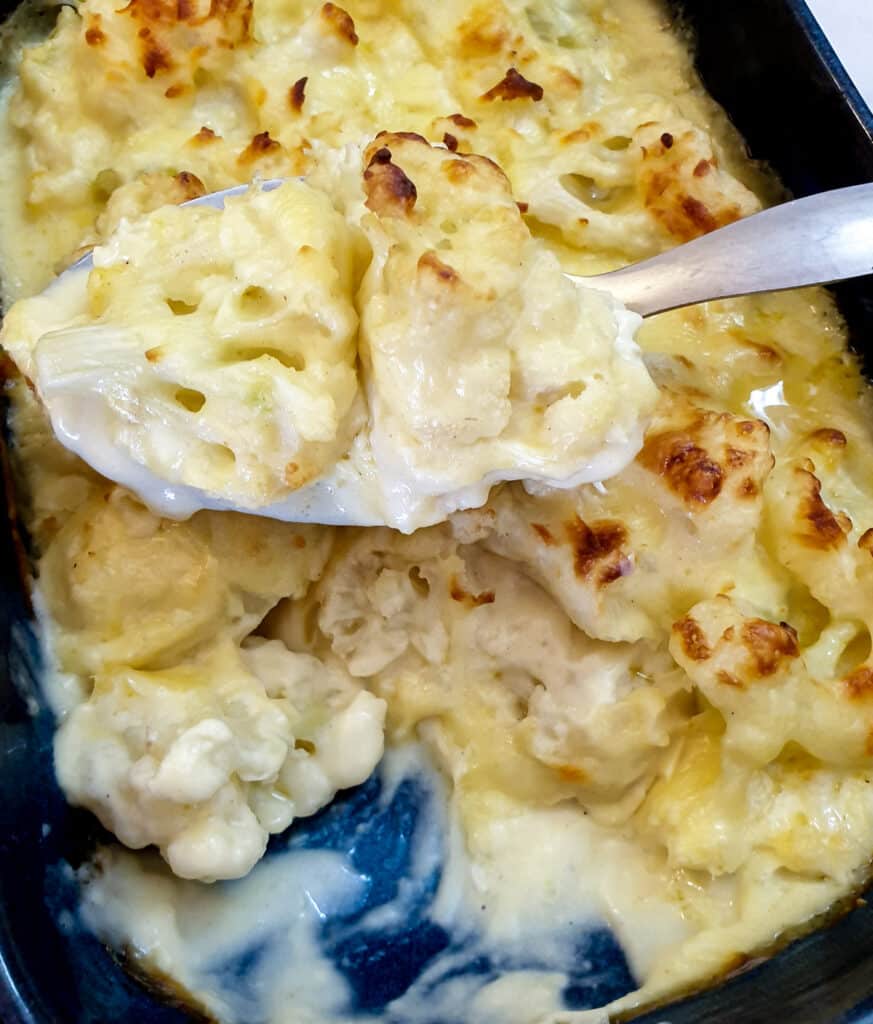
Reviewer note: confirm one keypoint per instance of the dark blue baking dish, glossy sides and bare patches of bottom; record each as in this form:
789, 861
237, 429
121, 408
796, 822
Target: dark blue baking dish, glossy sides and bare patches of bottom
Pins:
769, 65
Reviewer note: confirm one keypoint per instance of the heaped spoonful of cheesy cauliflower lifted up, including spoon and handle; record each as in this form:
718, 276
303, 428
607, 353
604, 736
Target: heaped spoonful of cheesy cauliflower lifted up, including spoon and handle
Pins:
380, 350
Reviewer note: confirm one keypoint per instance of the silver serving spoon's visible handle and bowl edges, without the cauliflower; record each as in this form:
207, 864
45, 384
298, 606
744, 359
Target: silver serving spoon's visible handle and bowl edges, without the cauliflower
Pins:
814, 241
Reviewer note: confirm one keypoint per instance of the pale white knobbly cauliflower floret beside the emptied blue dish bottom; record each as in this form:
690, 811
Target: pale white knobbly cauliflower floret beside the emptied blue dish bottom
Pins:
206, 759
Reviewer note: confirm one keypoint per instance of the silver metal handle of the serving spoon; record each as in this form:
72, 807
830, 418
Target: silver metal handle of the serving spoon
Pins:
811, 241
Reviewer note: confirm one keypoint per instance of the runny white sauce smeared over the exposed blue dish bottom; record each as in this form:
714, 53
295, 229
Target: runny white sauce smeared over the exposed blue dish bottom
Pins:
517, 916
